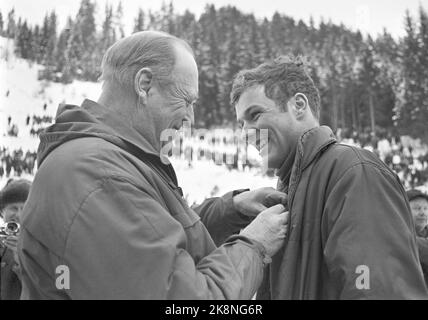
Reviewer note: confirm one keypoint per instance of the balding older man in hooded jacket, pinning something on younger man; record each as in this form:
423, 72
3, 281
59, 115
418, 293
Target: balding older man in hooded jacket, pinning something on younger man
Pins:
108, 220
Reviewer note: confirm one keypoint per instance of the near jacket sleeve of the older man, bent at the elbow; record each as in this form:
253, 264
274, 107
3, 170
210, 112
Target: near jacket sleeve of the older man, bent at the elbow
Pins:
125, 245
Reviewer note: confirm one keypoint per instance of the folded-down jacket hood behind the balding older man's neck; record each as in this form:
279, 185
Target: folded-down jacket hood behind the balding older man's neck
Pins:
91, 120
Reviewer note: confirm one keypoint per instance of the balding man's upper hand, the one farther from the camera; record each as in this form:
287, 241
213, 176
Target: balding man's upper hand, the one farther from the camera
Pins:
251, 203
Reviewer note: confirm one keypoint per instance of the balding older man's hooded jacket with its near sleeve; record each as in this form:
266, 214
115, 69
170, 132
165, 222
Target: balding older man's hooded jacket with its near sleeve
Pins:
108, 222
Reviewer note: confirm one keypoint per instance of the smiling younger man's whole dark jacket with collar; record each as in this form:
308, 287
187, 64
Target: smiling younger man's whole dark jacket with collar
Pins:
351, 231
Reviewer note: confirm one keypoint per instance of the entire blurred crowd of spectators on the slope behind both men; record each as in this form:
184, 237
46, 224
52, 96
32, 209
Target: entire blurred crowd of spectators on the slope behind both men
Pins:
220, 146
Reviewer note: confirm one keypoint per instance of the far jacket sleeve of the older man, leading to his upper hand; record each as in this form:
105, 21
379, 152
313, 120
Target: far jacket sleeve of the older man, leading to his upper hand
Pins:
220, 217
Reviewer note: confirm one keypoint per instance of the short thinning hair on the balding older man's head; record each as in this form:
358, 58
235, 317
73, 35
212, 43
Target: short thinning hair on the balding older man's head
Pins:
145, 49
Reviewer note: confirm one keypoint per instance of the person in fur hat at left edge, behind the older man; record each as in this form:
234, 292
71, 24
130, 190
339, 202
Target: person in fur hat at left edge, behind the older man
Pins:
12, 200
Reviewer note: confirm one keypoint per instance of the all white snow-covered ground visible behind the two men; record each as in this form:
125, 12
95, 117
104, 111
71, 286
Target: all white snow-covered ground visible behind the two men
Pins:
27, 96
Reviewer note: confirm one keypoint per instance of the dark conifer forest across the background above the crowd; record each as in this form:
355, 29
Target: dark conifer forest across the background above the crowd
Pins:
366, 83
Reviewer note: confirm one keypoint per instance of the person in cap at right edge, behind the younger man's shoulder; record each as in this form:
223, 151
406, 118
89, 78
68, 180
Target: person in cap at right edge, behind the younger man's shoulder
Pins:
419, 207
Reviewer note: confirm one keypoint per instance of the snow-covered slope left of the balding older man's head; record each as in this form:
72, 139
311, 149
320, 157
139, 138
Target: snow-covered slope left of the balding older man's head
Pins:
22, 95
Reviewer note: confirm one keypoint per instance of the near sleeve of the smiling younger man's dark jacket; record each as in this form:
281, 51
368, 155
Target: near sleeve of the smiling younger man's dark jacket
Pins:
370, 248
